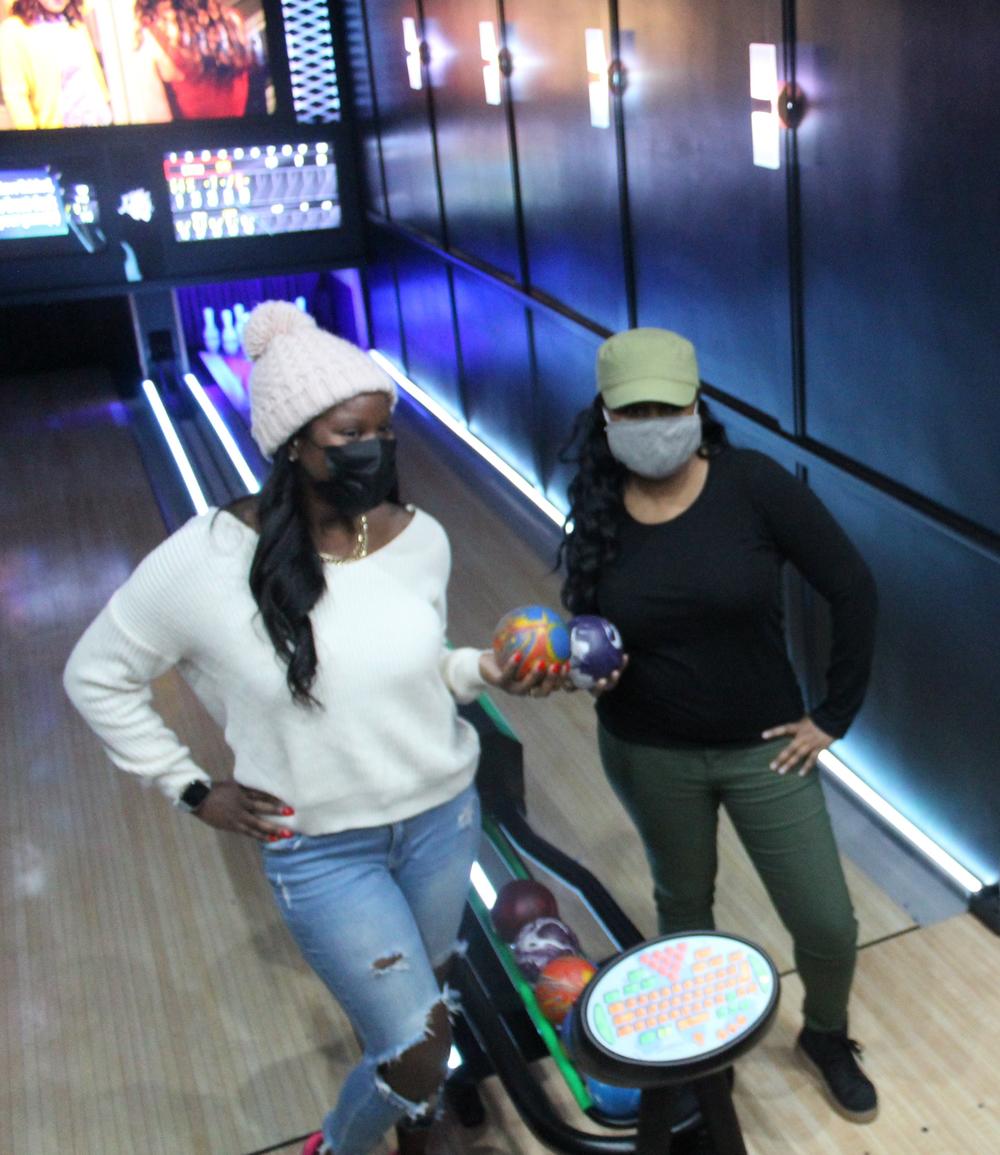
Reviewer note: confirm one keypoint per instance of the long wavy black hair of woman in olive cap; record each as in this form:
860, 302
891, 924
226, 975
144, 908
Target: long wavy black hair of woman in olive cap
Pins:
591, 533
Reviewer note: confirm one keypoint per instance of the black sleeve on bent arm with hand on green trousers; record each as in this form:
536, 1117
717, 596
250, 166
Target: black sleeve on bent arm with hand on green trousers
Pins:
811, 539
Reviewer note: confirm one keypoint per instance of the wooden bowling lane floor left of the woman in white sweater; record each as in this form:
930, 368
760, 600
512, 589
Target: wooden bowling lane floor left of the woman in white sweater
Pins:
151, 997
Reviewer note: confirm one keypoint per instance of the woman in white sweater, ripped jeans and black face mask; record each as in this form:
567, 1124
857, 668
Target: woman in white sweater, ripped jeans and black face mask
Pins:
311, 623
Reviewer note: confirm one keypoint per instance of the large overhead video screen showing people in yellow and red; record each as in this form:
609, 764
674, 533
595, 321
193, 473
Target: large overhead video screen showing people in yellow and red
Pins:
68, 64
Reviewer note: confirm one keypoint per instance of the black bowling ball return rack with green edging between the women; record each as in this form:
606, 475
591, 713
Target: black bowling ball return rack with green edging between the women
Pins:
501, 1031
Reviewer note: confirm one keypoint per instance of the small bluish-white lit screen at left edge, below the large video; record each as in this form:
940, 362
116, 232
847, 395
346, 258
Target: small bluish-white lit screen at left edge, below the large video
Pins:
39, 203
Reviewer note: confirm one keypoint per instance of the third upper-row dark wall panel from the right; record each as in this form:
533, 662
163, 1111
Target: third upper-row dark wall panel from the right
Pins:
569, 168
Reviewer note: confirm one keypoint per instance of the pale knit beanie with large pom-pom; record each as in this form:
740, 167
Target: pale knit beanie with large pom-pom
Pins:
300, 371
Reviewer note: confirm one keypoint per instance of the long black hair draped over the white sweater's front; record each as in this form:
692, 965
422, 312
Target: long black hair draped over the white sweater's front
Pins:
287, 576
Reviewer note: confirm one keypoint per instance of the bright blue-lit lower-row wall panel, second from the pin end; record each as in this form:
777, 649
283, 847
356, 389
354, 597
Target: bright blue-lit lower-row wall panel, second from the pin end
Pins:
429, 334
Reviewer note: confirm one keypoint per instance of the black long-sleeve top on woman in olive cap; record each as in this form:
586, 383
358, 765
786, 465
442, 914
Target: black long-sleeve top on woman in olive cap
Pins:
698, 601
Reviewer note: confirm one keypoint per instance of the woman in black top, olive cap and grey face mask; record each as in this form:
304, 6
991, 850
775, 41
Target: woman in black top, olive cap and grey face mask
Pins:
681, 541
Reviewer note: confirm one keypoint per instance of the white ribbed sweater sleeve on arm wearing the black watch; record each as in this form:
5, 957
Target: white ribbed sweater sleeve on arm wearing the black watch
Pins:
141, 634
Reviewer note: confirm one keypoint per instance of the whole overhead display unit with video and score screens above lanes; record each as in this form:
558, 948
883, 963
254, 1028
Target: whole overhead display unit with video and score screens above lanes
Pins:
250, 172
